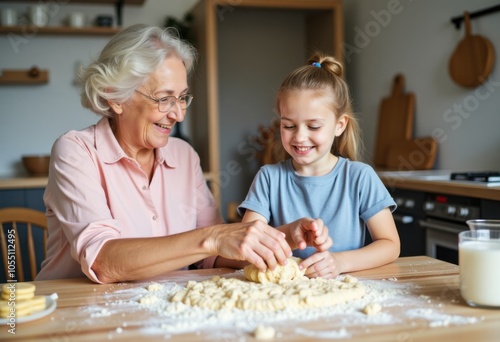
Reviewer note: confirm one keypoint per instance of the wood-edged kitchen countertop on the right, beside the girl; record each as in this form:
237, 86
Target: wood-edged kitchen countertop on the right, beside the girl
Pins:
438, 181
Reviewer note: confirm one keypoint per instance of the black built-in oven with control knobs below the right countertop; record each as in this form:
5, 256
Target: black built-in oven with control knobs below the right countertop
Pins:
445, 217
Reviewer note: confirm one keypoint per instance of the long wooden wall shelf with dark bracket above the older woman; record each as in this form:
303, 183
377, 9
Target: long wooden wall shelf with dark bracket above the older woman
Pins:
66, 30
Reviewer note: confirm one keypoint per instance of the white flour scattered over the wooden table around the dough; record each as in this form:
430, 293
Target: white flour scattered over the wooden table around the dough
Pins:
403, 305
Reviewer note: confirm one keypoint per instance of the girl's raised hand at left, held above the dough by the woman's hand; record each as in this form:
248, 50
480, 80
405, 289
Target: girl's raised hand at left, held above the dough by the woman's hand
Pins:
310, 232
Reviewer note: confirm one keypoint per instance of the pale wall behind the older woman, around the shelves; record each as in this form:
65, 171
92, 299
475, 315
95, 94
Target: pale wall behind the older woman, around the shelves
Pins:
32, 117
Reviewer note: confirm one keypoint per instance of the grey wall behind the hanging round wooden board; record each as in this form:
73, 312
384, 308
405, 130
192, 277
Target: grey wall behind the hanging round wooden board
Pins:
418, 41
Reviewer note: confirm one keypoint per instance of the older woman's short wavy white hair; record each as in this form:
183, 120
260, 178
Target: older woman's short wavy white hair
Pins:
126, 61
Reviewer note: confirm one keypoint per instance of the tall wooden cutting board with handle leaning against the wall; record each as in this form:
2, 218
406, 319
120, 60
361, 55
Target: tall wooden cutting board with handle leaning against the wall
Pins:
395, 120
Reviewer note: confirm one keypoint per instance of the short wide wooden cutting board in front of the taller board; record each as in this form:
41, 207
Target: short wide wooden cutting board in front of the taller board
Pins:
415, 154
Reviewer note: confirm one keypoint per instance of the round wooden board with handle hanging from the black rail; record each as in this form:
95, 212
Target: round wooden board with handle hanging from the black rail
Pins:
473, 59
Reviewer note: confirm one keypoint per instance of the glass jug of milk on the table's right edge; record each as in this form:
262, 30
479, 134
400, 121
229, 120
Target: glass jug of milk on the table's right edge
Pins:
479, 262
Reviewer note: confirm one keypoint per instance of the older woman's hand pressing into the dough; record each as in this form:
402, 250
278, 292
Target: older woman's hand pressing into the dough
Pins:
255, 242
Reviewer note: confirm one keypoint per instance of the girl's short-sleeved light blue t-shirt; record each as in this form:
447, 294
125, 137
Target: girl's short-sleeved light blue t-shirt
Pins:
344, 199
